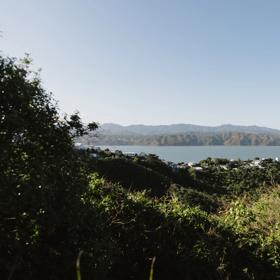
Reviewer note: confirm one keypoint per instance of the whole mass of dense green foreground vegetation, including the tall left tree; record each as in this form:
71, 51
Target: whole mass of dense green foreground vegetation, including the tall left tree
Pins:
57, 201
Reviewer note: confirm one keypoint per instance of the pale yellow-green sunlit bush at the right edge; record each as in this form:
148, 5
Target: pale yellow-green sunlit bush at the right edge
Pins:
258, 223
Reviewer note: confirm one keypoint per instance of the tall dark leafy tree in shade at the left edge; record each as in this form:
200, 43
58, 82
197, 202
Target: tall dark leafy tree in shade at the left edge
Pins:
41, 174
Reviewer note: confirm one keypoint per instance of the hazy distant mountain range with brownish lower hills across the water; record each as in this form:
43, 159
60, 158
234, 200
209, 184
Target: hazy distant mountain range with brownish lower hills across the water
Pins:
183, 135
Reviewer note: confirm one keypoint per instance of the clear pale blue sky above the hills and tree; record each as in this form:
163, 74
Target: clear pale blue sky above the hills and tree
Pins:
153, 61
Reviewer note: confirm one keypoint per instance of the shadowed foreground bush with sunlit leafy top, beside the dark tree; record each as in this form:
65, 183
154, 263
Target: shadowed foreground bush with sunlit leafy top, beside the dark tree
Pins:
183, 239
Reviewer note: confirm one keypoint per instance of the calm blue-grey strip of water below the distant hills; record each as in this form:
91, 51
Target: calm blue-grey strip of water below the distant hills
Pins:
197, 153
